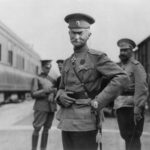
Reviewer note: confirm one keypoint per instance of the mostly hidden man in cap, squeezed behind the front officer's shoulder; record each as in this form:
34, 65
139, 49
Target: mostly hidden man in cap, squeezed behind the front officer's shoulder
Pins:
60, 66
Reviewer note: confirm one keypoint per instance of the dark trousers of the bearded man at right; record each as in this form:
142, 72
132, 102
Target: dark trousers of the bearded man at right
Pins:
130, 132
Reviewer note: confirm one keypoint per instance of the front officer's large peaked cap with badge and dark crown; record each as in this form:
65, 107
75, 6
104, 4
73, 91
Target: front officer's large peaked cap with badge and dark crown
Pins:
79, 21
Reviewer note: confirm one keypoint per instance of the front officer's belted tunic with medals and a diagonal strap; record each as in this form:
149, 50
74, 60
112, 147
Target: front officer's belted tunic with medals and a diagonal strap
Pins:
91, 65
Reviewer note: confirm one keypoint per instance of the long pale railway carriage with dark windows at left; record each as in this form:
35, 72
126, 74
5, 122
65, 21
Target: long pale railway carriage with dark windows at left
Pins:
18, 65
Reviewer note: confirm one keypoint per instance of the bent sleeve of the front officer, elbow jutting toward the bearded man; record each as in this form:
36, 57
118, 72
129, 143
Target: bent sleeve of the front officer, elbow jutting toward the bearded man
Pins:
118, 80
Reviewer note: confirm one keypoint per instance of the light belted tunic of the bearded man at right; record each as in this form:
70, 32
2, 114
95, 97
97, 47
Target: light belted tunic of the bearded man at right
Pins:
136, 93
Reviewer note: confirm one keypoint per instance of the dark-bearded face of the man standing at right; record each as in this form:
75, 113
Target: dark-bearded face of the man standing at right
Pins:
125, 54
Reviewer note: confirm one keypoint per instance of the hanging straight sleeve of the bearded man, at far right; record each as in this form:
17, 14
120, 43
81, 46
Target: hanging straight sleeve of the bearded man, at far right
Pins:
141, 87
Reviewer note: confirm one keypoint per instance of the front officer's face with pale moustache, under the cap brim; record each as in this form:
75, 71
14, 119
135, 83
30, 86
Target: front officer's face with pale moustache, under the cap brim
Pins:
79, 37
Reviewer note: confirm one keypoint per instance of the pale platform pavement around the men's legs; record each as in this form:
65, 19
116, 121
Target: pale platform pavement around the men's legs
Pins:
16, 130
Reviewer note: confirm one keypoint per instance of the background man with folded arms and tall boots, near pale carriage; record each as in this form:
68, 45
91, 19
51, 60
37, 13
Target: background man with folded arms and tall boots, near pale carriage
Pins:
43, 91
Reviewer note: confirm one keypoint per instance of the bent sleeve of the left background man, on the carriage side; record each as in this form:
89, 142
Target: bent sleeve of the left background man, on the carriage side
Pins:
35, 91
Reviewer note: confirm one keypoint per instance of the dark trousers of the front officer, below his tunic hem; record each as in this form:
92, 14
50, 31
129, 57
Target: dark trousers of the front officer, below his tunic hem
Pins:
85, 140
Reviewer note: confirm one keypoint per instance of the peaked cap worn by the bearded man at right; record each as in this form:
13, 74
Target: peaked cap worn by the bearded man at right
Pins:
126, 43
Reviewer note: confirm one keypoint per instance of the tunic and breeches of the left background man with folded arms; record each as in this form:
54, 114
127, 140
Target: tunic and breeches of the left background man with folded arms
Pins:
43, 108
